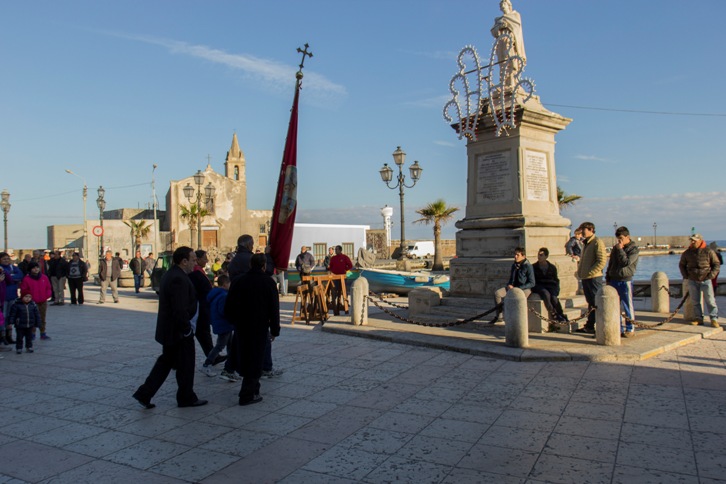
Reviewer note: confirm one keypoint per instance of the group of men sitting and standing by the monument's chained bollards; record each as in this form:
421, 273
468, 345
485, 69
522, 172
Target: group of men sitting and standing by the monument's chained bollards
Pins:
699, 266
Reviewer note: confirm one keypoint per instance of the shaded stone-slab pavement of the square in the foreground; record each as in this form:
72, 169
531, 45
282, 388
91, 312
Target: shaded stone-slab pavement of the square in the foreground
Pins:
353, 409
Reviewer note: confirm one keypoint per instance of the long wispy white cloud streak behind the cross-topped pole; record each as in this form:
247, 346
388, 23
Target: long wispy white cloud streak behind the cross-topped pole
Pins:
269, 72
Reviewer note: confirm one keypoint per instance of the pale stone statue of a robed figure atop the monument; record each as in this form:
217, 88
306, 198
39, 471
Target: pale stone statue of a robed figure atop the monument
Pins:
509, 44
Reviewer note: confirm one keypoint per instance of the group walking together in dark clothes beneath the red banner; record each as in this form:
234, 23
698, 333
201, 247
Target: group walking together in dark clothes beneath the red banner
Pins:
243, 311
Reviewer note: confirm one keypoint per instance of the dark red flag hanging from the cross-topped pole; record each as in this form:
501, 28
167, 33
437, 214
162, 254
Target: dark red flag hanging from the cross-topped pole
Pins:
283, 215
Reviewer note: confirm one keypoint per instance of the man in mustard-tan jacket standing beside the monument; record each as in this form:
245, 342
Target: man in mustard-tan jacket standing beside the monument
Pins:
592, 262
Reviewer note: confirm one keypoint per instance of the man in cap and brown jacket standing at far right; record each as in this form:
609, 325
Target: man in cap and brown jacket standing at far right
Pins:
698, 266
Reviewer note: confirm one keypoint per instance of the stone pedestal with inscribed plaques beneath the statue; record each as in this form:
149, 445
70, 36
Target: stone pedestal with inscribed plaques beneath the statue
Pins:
511, 201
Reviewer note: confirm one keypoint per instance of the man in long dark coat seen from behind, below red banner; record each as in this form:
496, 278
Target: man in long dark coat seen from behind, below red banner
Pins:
253, 307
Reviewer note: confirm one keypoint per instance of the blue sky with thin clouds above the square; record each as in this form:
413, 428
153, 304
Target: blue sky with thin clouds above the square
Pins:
108, 89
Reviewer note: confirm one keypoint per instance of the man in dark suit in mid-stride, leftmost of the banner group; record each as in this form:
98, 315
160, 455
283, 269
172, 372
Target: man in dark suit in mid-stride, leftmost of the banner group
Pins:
174, 332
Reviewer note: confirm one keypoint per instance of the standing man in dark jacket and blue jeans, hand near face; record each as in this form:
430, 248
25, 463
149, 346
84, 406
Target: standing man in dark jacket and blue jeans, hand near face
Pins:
619, 274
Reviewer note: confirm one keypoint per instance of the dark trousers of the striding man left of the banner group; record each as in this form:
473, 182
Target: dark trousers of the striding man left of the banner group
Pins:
178, 356
